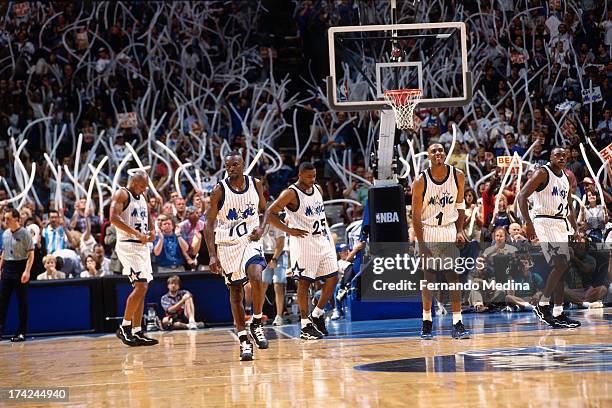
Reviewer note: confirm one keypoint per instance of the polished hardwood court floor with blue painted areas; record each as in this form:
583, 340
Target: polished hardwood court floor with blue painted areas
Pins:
363, 364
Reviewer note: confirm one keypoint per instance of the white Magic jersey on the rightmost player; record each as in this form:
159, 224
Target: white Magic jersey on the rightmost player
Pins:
552, 199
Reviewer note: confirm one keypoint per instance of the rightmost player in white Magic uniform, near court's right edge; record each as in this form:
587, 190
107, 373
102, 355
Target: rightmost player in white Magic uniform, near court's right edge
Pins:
552, 206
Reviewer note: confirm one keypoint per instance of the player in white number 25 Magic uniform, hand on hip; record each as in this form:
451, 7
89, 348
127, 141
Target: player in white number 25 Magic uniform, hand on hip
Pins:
311, 252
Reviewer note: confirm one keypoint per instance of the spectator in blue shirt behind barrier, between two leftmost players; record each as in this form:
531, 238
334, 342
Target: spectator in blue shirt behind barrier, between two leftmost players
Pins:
171, 251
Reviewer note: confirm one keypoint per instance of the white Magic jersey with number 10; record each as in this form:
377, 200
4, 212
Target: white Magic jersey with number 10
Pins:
238, 214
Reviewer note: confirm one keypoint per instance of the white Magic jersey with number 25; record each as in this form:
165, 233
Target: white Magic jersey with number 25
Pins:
310, 214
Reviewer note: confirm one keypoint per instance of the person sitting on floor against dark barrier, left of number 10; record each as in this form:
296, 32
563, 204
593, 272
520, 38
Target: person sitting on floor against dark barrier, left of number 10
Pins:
179, 307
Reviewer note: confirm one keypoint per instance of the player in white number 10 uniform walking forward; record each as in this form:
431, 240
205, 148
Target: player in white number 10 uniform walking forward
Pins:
232, 222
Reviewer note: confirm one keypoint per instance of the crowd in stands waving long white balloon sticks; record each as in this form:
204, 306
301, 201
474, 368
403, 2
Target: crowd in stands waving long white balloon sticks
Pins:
206, 77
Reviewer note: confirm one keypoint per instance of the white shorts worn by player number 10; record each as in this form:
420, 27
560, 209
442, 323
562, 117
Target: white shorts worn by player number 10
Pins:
236, 258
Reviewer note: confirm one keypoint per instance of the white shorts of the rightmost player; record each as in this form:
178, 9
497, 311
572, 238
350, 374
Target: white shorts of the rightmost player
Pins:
553, 234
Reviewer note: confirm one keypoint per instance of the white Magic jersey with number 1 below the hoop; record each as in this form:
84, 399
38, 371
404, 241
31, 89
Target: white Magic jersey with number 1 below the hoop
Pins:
439, 199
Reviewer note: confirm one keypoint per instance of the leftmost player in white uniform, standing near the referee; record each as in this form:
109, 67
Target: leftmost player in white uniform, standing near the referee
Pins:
129, 213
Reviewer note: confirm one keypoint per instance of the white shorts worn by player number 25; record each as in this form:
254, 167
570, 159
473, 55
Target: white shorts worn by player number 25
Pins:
312, 258
